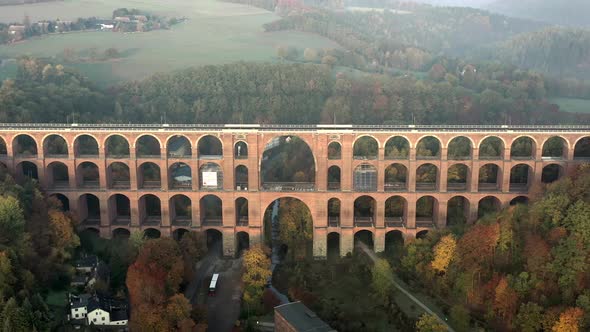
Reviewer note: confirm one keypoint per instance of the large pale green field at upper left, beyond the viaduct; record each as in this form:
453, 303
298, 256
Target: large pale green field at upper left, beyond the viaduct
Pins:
215, 33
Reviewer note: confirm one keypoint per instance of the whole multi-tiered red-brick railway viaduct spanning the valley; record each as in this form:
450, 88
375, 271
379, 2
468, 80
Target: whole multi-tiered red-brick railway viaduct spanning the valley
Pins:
157, 179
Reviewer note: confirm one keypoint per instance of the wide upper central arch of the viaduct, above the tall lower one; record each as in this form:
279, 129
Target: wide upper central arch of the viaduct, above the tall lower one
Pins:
287, 164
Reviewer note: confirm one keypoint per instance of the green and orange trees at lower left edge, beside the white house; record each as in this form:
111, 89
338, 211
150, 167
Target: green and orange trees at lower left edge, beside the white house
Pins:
37, 241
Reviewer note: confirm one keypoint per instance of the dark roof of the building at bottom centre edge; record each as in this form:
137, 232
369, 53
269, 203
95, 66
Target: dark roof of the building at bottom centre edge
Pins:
301, 318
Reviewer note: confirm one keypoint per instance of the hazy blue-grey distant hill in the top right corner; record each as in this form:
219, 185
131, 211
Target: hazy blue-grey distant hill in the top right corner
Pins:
565, 12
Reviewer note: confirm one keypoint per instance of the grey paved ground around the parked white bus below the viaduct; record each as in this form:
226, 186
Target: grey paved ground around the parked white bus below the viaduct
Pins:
223, 309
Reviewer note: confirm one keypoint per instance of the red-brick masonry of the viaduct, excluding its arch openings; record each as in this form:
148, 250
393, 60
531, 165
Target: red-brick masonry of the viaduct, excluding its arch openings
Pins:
259, 200
